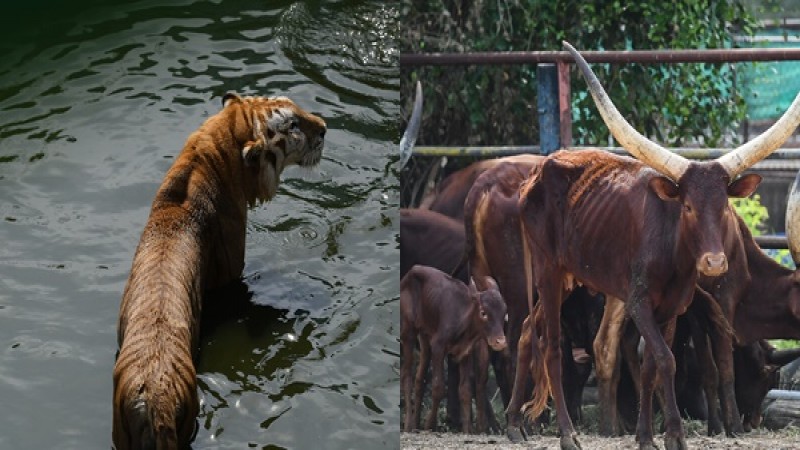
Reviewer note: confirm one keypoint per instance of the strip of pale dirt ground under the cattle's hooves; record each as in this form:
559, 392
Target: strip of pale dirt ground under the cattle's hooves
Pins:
785, 439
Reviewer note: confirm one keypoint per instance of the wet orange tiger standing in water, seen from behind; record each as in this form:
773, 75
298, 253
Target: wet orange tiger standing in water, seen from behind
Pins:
194, 240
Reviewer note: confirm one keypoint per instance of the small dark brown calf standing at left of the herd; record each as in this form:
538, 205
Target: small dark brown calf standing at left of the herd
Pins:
446, 317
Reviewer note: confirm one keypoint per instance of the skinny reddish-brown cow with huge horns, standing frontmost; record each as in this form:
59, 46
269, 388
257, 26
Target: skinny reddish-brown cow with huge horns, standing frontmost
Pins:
621, 228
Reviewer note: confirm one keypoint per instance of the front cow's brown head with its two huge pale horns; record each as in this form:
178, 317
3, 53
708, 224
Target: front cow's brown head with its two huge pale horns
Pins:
701, 188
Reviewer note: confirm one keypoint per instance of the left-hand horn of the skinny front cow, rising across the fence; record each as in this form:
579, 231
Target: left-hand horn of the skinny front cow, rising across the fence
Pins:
647, 151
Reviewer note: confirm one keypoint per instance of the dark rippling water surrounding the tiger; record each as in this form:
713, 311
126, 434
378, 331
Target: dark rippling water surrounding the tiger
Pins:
96, 99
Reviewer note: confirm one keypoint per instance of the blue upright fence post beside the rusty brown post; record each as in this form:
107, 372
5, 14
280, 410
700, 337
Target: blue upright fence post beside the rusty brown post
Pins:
549, 130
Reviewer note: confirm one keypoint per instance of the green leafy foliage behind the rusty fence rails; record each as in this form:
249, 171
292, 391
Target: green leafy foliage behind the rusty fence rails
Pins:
676, 104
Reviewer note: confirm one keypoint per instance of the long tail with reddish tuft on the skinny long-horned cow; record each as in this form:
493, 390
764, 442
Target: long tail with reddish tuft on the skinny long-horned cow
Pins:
534, 408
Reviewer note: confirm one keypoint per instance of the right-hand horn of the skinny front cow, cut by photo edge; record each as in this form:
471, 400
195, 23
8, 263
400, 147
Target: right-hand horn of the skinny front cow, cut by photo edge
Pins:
741, 158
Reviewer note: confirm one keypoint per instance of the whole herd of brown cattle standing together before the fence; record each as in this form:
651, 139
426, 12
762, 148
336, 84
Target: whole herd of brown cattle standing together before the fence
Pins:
545, 268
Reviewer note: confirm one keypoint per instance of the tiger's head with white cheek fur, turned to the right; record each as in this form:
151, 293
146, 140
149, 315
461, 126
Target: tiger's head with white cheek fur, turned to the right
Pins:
280, 134
